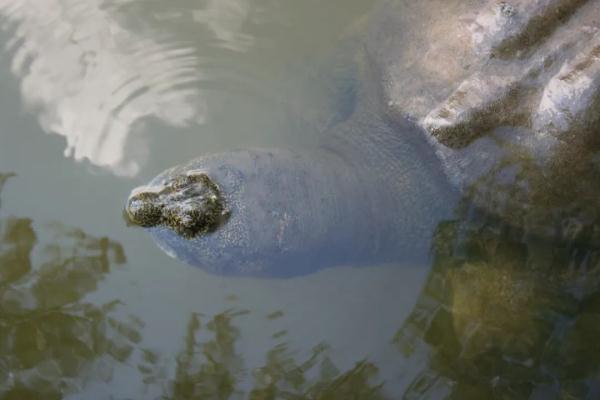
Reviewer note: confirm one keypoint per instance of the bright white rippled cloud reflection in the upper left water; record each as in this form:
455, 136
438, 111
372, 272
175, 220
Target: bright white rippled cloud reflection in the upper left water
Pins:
89, 78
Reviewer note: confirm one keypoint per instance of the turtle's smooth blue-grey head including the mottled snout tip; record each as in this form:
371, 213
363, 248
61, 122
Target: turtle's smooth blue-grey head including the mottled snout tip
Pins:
262, 212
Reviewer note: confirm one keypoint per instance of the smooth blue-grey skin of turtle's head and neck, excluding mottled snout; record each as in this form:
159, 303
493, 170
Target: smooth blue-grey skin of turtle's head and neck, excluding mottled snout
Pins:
366, 196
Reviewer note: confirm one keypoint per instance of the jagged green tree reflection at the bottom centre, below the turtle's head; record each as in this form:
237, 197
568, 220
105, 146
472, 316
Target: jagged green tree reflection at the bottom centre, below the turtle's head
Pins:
213, 369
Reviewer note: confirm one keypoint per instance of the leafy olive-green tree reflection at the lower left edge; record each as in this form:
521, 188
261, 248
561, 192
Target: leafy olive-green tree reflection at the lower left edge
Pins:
52, 341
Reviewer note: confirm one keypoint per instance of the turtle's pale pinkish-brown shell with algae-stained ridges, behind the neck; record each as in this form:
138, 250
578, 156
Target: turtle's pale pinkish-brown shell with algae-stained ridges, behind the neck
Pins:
507, 94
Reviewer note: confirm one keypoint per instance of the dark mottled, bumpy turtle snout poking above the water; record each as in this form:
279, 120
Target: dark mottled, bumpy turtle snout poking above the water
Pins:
191, 204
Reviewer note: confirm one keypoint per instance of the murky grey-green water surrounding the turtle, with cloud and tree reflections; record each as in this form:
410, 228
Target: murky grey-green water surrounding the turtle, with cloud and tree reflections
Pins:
99, 96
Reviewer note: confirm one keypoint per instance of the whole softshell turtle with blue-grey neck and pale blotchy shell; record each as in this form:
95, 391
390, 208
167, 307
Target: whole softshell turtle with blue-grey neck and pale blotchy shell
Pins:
479, 105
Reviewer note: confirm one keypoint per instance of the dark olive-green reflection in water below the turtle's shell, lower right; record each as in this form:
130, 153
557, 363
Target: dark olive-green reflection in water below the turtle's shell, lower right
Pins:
506, 314
